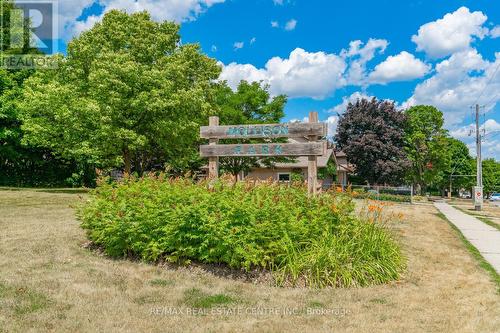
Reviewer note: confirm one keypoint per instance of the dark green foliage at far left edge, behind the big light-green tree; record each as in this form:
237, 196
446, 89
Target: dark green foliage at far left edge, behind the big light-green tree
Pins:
22, 165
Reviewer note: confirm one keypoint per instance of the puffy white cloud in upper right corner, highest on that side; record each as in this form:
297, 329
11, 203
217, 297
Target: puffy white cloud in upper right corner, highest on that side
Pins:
452, 33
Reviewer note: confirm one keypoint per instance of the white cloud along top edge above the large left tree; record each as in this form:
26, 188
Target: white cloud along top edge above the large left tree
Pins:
161, 10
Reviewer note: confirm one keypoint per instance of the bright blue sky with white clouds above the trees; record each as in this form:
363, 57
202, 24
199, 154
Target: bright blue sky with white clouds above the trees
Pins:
324, 53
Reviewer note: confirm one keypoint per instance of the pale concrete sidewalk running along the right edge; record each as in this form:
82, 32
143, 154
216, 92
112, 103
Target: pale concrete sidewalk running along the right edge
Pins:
484, 237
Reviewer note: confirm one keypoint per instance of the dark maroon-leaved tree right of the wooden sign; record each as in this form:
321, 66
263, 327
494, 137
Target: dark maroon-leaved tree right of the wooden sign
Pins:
371, 133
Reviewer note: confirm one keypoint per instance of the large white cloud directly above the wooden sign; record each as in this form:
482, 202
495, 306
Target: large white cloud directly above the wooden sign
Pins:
302, 74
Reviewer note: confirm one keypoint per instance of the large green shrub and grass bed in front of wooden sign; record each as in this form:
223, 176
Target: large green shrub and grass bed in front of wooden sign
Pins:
316, 240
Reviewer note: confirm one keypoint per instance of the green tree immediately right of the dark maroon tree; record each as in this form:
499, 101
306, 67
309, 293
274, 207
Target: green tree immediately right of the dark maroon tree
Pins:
426, 146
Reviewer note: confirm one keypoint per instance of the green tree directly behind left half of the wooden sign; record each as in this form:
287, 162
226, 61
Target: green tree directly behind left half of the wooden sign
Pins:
251, 103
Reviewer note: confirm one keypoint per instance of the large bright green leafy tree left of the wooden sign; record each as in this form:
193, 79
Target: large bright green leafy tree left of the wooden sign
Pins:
128, 94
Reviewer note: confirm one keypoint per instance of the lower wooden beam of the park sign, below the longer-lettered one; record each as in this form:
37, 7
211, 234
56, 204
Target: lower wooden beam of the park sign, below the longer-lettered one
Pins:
263, 150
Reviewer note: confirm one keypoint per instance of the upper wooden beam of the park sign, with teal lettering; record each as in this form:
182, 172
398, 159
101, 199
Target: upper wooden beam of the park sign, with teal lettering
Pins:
290, 130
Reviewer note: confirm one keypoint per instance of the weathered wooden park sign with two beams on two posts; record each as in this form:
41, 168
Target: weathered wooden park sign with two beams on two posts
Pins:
313, 131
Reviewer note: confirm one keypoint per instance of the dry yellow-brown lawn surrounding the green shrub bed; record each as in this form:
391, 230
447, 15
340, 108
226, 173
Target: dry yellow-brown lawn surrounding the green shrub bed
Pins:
41, 246
